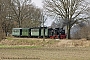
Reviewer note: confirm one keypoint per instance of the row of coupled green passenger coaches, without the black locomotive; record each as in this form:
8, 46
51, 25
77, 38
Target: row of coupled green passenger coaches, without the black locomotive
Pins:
31, 32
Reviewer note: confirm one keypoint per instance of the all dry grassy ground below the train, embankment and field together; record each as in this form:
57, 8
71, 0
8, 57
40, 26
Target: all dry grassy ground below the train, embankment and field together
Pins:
36, 49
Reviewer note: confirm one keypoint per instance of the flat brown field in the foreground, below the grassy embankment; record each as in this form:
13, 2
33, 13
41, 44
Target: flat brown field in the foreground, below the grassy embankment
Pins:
45, 53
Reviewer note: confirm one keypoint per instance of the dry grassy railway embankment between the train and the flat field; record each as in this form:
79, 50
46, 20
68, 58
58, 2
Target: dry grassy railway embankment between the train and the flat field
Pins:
47, 43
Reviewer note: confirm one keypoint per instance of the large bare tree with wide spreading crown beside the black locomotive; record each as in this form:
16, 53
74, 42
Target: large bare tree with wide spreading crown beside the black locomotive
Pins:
70, 11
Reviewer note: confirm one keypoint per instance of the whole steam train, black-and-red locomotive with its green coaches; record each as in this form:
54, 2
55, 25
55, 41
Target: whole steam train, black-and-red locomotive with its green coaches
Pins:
39, 32
